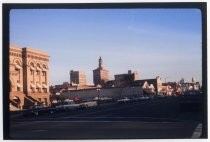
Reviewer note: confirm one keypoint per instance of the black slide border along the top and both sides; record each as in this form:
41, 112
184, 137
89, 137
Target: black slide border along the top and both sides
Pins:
6, 7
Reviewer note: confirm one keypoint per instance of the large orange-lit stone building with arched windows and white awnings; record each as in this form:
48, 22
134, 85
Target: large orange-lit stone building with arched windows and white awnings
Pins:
29, 78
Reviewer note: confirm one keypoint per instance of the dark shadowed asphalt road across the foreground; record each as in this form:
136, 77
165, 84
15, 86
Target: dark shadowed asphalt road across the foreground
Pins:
150, 119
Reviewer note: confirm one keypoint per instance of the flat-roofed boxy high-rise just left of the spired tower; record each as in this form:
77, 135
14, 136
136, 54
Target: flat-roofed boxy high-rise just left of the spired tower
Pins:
77, 77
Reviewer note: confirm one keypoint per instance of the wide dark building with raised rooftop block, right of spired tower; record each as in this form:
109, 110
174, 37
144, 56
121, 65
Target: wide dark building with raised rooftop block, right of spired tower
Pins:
123, 80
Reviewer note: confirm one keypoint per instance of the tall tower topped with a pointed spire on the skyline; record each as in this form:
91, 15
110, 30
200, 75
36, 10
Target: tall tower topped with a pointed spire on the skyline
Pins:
100, 75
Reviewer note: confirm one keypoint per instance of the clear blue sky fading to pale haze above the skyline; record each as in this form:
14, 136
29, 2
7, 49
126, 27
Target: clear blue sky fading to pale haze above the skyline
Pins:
153, 42
